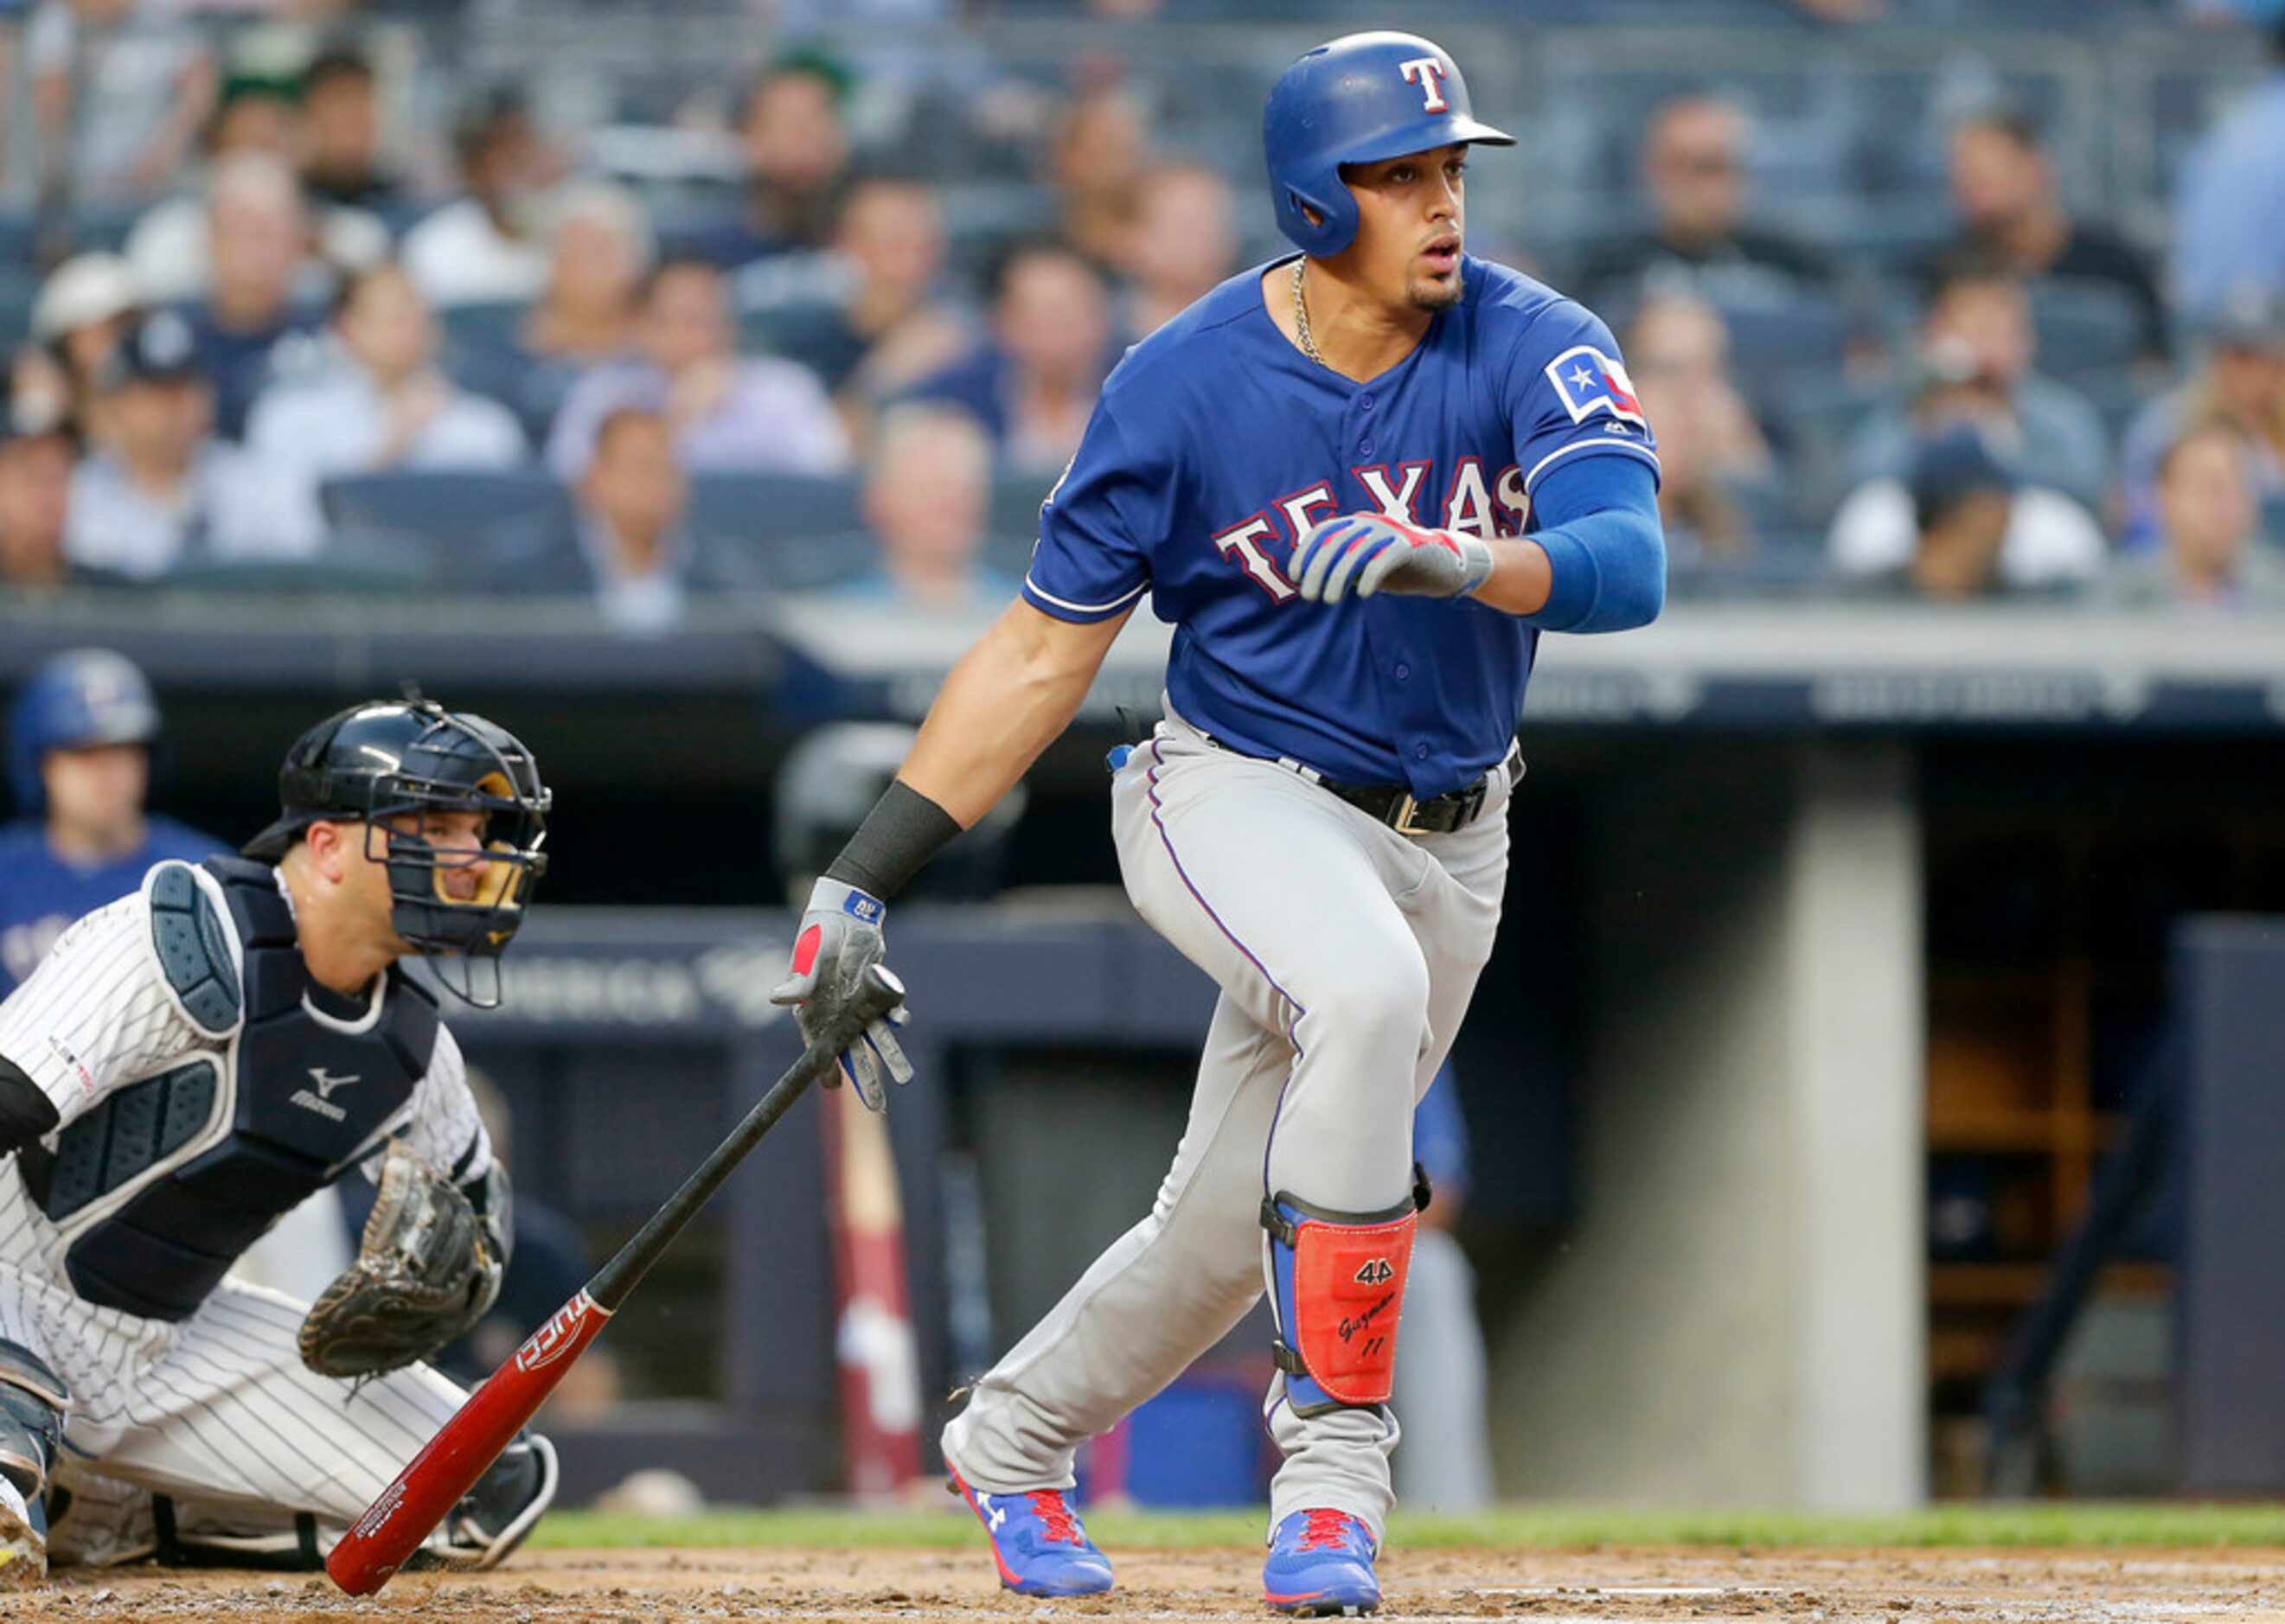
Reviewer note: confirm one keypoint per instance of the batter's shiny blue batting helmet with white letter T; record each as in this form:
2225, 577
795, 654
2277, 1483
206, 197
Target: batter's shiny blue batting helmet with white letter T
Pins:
1354, 102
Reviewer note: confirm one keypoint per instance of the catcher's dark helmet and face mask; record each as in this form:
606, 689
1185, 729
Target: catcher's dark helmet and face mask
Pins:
394, 759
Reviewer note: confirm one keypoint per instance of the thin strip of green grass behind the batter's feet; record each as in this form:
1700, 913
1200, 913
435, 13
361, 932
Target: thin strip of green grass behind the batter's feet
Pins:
1521, 1527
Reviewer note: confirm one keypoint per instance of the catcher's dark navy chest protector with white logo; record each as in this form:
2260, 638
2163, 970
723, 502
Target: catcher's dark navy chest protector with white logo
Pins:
300, 1100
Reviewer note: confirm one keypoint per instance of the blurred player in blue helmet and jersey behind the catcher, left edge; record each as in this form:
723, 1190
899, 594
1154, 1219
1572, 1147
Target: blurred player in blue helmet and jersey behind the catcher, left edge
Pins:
79, 762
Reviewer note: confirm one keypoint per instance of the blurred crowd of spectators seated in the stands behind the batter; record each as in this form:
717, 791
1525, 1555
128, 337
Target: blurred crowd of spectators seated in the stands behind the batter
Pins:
271, 335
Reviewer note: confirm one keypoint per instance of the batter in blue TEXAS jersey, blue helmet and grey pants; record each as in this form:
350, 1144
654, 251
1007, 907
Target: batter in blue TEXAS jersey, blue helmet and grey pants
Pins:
1361, 483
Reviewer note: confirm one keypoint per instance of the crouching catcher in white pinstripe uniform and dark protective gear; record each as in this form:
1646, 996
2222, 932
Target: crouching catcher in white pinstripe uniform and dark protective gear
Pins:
186, 1068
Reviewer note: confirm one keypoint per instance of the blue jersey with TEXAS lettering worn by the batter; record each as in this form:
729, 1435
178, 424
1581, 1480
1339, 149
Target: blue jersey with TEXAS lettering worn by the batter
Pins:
1217, 447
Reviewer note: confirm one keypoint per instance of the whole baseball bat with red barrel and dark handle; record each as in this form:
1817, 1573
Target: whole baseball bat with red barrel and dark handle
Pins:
465, 1447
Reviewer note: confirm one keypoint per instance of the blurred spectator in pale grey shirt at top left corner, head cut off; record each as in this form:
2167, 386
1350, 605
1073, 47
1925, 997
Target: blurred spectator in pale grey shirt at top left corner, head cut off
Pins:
120, 90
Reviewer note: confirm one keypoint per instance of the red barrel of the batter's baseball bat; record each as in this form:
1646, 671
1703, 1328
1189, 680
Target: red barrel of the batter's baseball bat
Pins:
458, 1456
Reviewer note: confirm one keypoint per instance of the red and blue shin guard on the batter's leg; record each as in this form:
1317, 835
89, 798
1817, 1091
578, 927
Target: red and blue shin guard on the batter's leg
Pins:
1338, 1283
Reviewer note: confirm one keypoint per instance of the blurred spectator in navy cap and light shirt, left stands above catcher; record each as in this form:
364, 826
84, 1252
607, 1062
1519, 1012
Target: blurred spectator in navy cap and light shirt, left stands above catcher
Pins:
161, 490
